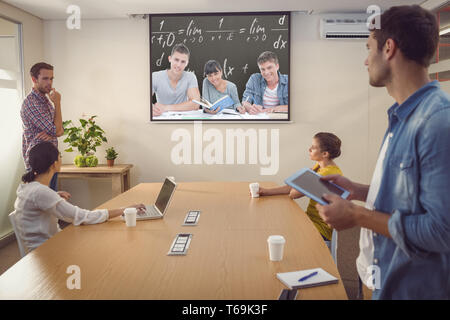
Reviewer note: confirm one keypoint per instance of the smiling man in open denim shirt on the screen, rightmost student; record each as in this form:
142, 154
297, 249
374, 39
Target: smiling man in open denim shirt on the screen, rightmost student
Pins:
266, 91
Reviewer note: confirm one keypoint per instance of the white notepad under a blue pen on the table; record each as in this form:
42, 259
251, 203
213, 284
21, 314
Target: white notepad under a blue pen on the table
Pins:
290, 279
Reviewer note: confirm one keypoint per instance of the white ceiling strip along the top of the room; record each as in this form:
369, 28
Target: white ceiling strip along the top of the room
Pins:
109, 9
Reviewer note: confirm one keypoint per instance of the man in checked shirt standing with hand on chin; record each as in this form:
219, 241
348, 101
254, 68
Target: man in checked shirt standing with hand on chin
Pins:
41, 120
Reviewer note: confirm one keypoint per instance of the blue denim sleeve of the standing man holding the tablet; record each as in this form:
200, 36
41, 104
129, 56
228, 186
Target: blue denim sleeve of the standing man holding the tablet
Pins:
419, 234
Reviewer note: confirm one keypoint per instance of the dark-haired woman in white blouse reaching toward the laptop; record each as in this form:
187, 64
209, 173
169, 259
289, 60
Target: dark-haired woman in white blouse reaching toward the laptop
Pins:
38, 207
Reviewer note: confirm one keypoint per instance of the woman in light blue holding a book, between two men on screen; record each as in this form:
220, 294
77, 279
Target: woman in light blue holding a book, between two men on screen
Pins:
215, 87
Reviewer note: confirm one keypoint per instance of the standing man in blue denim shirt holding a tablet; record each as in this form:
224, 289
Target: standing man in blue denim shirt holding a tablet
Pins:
405, 234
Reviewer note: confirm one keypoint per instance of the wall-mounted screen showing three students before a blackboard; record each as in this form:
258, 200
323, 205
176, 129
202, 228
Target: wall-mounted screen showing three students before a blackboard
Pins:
220, 66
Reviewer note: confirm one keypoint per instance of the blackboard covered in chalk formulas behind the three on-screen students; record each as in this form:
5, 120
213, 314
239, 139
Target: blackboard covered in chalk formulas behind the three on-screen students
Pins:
233, 40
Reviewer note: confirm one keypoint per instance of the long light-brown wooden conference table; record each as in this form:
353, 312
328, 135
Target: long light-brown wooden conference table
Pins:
228, 257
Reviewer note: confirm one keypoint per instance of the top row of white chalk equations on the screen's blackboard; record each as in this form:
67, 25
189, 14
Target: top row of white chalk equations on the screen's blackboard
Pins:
194, 33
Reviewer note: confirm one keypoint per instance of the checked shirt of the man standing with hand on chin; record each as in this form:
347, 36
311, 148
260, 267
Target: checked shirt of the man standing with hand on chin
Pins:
38, 116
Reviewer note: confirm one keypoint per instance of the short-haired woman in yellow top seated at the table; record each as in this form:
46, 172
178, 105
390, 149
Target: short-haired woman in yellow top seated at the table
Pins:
324, 149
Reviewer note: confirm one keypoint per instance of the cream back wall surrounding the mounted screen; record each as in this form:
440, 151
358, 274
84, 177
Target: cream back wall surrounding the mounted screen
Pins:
103, 69
